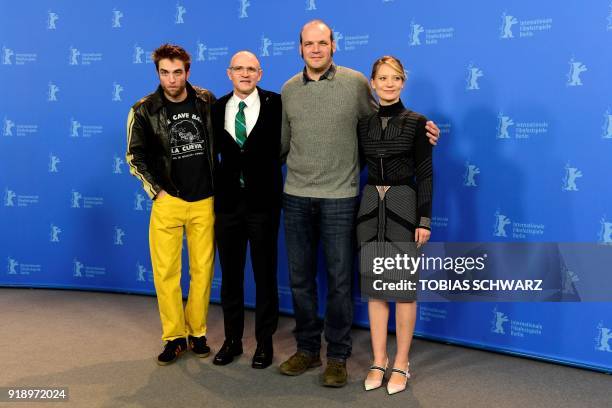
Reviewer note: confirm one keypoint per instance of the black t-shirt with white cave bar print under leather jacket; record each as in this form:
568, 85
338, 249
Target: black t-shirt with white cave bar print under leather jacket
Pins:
190, 170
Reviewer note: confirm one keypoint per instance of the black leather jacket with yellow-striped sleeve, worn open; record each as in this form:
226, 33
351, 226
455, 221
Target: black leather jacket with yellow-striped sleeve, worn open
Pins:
148, 147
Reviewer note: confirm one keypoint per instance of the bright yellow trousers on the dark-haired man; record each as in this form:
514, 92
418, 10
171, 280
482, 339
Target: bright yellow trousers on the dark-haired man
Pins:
168, 218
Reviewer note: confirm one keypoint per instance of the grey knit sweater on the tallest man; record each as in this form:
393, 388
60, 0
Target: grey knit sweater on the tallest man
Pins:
319, 135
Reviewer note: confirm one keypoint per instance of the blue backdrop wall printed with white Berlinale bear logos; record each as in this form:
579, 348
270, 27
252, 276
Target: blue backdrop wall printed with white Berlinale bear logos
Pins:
520, 89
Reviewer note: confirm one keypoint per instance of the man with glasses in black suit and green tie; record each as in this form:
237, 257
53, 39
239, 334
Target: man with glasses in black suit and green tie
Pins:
248, 186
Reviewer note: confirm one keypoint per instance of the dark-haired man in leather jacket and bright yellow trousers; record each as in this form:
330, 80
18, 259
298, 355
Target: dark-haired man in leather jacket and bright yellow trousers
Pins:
170, 151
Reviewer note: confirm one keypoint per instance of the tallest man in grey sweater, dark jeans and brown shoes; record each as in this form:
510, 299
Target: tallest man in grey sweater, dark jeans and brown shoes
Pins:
321, 108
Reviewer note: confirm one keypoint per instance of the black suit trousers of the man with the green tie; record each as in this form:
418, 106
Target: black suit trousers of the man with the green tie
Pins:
260, 229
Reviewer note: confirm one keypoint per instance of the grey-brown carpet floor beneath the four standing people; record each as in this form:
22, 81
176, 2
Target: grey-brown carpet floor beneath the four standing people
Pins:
103, 346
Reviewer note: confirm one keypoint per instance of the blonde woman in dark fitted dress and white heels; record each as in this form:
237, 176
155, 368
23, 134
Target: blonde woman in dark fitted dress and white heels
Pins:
395, 206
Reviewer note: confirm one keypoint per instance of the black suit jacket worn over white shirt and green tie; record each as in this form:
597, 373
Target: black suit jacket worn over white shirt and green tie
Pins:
258, 160
